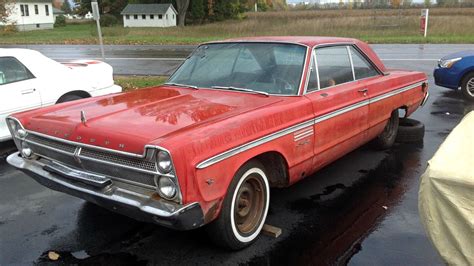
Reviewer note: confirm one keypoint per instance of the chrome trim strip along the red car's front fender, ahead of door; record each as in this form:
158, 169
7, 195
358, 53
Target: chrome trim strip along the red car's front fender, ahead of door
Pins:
252, 144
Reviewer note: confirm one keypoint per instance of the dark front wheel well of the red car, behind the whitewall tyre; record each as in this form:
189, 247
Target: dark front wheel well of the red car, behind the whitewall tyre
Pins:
276, 168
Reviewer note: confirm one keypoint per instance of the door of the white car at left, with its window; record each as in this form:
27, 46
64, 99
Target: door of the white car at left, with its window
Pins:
17, 91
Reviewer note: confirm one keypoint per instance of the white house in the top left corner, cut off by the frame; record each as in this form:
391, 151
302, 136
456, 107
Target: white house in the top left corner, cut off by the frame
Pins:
31, 14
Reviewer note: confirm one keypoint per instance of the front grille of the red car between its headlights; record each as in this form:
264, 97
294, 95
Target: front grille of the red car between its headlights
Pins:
113, 165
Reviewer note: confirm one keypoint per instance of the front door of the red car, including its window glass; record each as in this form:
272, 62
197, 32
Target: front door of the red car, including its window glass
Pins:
340, 104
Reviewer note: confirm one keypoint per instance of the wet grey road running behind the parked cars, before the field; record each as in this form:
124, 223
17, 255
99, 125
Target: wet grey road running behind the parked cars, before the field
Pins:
163, 59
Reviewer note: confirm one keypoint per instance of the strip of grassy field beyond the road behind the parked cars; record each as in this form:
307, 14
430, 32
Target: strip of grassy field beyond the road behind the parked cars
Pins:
446, 25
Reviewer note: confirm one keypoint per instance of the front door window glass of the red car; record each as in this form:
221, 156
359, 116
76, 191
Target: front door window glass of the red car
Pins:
334, 66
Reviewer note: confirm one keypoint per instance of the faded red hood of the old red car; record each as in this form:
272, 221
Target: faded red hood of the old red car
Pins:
128, 121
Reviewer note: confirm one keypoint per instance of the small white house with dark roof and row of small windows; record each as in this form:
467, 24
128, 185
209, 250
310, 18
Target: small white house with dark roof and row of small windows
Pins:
149, 15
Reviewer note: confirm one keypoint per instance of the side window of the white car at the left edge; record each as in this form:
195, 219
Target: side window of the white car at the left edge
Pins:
11, 70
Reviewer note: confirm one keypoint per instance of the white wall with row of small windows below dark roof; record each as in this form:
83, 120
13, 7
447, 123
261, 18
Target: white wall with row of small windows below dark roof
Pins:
147, 22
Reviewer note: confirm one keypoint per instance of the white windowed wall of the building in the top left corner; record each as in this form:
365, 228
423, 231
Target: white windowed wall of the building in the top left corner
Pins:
32, 20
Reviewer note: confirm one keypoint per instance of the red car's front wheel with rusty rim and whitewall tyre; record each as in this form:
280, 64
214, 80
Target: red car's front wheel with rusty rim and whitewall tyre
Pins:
244, 209
